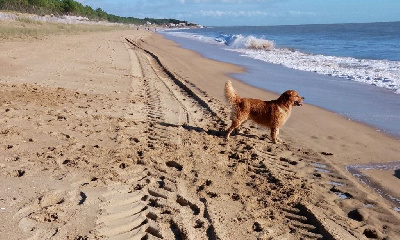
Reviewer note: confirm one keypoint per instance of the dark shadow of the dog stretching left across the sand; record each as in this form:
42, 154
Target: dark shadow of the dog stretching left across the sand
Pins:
218, 133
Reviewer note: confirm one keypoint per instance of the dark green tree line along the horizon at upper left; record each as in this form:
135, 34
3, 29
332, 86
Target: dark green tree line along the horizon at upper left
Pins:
70, 7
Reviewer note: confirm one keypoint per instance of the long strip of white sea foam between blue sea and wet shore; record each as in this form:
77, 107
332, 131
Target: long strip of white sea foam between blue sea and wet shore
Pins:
381, 73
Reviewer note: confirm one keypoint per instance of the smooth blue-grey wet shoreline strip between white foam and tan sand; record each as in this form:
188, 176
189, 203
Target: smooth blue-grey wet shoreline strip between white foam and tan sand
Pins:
327, 92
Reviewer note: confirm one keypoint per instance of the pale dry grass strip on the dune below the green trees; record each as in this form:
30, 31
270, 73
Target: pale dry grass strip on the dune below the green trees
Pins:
24, 27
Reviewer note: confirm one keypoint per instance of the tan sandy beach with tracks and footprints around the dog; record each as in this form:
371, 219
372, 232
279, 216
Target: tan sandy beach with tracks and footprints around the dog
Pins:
118, 135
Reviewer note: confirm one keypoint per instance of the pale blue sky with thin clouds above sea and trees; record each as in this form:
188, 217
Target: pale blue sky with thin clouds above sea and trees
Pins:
255, 12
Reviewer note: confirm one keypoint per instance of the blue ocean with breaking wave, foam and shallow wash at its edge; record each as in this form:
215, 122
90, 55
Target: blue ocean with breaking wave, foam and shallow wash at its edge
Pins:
350, 69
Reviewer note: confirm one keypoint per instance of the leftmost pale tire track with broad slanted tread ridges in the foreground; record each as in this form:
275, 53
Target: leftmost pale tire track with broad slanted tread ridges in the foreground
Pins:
123, 211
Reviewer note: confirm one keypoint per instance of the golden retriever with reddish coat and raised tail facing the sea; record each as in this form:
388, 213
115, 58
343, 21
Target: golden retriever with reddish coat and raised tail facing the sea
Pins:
272, 114
